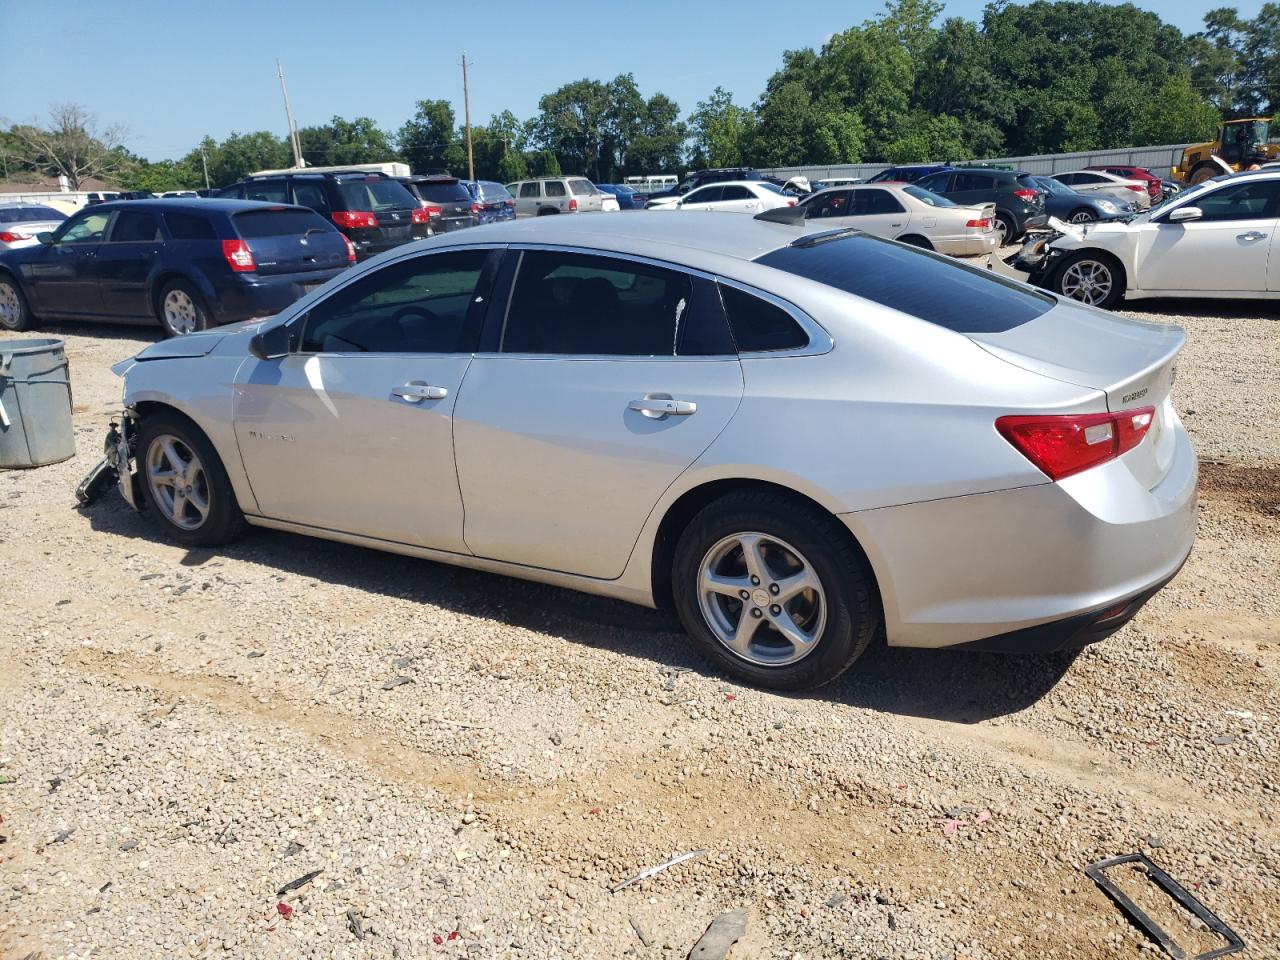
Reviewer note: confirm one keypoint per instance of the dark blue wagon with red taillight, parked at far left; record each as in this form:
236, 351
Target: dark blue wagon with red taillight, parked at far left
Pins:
185, 264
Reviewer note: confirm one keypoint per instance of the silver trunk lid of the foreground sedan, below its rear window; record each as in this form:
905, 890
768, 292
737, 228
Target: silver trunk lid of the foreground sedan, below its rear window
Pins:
1131, 362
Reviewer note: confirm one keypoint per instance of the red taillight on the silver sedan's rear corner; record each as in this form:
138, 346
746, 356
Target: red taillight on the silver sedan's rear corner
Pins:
1066, 445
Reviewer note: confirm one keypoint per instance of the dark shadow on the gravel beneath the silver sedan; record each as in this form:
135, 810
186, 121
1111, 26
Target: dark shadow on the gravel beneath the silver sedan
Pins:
963, 688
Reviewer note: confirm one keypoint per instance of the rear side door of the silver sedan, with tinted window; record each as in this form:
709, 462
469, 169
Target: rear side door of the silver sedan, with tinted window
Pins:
569, 435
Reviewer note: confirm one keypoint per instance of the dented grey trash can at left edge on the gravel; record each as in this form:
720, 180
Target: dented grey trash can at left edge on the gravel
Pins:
35, 404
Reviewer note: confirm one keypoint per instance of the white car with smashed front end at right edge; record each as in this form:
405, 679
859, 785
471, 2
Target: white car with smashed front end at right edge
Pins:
1215, 240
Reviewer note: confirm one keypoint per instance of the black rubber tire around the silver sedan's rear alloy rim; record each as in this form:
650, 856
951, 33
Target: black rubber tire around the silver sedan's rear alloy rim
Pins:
852, 606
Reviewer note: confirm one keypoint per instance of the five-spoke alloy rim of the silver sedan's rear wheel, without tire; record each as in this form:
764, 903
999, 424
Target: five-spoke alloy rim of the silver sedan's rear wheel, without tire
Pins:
762, 600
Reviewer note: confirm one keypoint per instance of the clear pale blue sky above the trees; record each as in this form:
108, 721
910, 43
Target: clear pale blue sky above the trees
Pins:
171, 72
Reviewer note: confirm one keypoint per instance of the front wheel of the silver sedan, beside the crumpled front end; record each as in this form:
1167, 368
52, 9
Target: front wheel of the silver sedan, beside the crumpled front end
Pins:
185, 483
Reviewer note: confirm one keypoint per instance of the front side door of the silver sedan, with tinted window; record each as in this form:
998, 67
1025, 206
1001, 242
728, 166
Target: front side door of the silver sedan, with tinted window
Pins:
354, 431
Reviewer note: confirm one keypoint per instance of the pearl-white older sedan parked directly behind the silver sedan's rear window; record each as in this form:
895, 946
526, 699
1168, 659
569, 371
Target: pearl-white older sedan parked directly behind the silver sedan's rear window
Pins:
909, 214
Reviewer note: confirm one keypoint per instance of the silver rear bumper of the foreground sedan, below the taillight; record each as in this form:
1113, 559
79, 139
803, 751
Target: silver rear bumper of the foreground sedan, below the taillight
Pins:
1032, 569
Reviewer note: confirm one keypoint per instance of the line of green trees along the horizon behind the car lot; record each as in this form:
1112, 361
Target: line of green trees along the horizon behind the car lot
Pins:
907, 86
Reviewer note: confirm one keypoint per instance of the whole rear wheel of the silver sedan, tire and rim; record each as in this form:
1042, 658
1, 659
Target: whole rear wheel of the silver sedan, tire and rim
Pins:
775, 591
